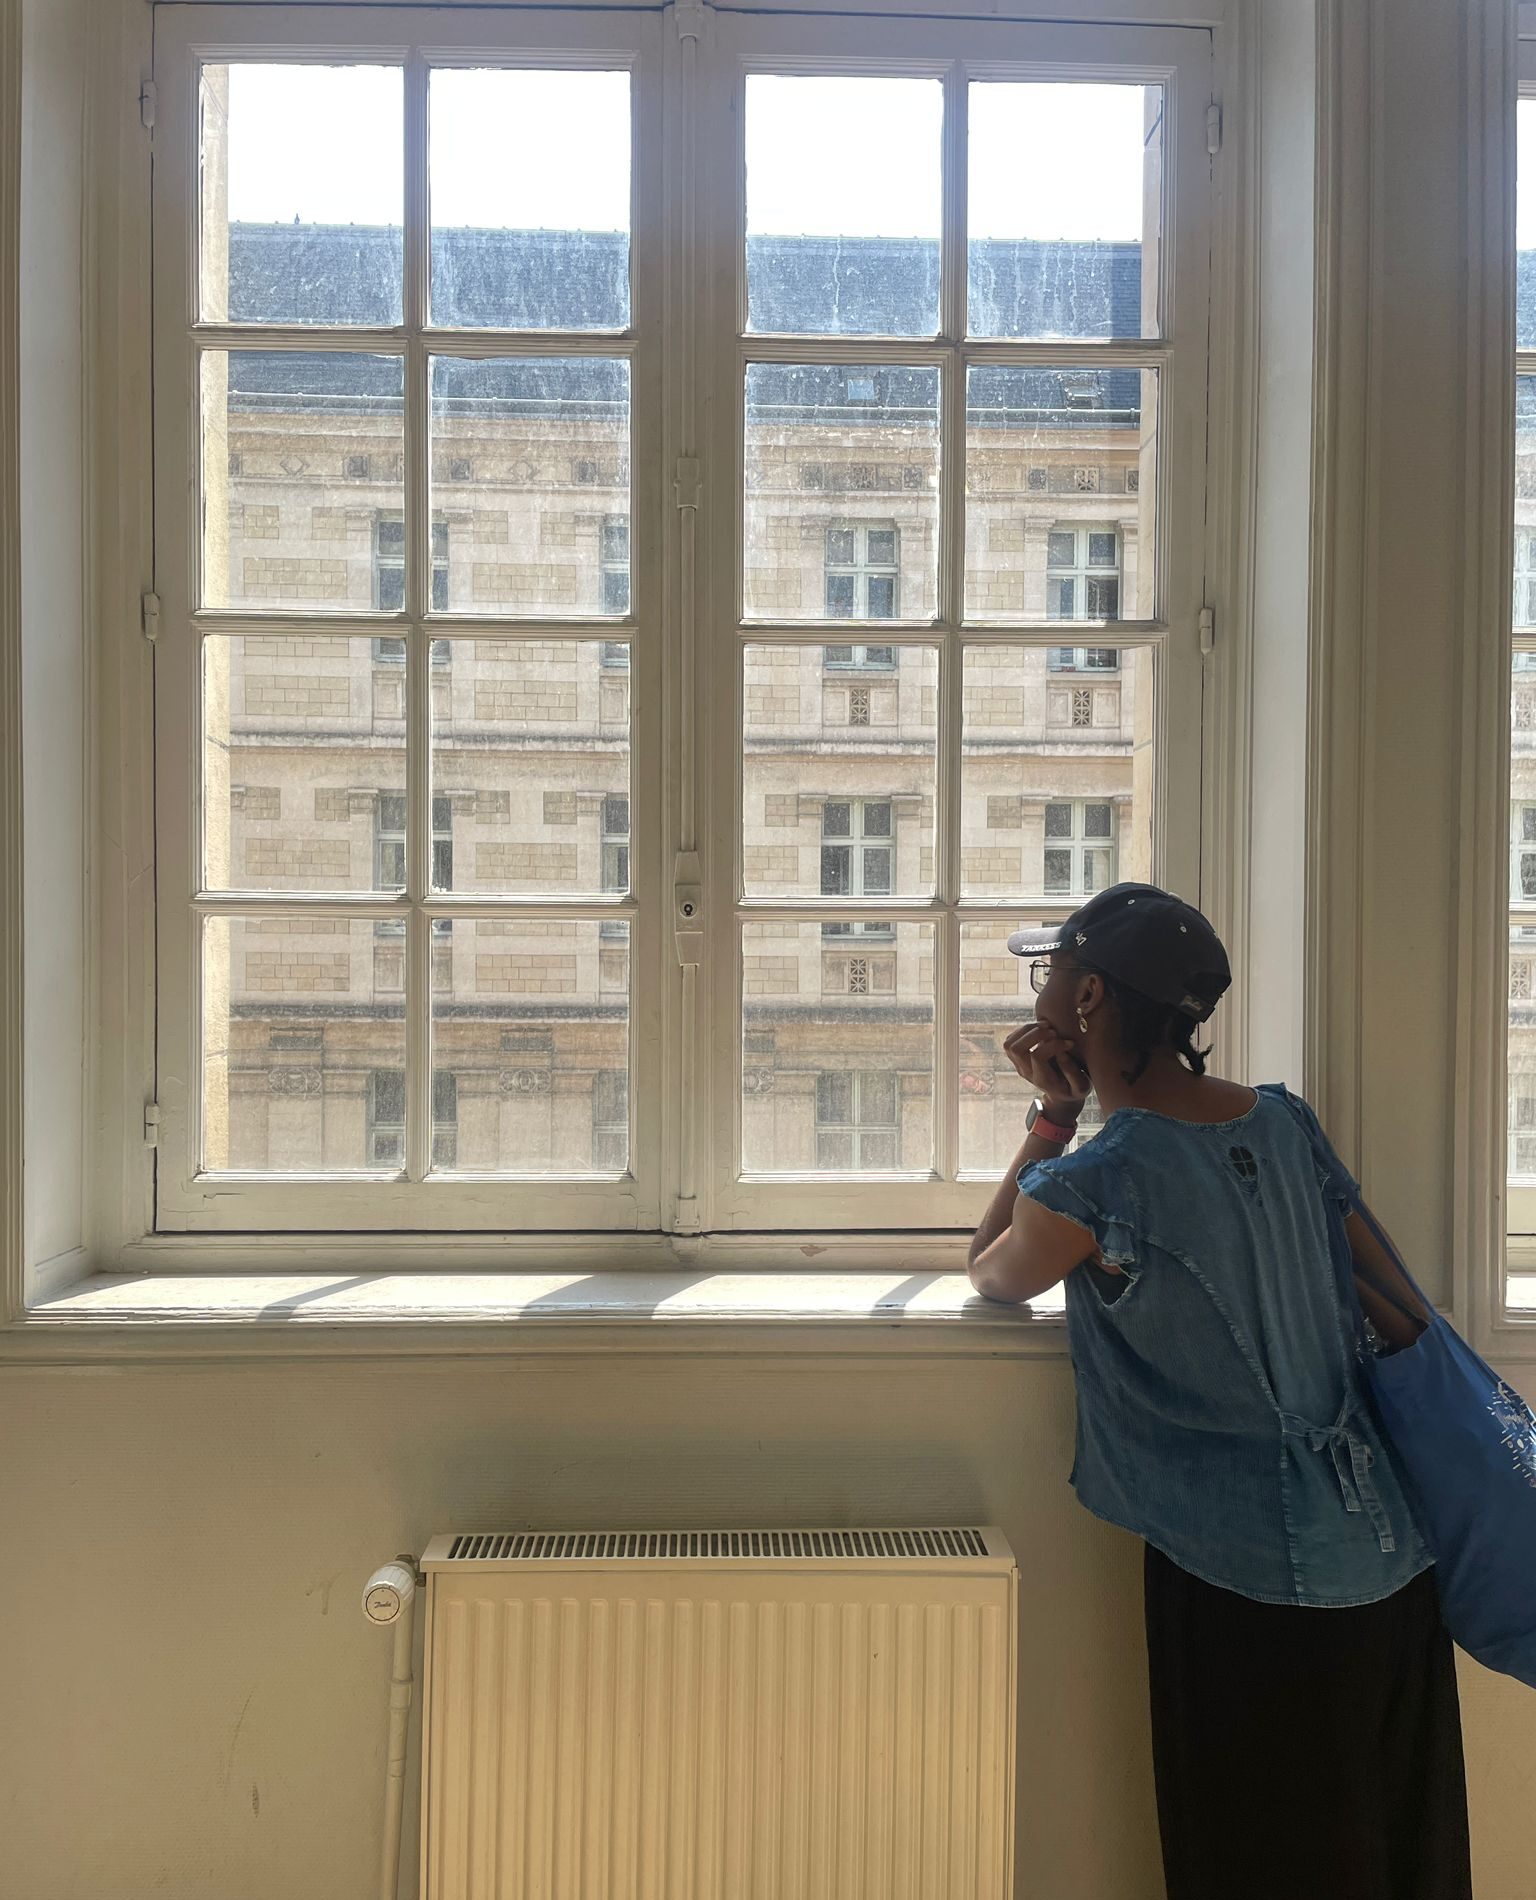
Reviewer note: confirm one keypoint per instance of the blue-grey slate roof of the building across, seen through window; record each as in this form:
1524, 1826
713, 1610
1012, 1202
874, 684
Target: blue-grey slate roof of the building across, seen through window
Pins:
579, 282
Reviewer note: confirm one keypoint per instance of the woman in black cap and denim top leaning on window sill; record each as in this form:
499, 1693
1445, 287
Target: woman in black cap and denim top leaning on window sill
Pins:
1305, 1724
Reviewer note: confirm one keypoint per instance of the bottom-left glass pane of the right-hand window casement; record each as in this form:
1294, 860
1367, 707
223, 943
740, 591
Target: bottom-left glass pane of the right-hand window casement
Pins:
837, 1050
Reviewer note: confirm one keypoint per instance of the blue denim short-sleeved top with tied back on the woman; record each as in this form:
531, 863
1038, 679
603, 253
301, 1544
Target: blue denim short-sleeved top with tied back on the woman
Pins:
1223, 1413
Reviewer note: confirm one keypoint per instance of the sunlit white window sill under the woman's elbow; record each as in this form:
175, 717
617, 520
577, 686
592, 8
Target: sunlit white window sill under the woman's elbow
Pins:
343, 1314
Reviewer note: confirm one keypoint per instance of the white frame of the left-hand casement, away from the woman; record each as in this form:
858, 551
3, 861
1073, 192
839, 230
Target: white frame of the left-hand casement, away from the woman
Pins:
187, 1196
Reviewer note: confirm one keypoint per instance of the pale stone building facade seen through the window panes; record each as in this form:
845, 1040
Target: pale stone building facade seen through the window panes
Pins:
531, 765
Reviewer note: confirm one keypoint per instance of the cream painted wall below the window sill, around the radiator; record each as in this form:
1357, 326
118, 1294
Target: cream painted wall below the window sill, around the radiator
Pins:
195, 1707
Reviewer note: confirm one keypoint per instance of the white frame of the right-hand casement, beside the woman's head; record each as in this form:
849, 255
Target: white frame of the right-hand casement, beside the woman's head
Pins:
737, 1200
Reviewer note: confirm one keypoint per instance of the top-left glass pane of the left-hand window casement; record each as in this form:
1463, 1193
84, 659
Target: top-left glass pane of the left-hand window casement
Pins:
301, 193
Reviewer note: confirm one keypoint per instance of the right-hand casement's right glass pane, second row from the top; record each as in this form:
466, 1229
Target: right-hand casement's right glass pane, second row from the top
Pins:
1088, 440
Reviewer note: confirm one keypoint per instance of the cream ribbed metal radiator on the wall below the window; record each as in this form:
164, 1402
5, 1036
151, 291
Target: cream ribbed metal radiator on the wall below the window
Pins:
720, 1717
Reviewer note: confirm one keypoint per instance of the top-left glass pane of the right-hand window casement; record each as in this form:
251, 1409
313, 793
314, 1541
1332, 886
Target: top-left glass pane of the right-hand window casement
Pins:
841, 238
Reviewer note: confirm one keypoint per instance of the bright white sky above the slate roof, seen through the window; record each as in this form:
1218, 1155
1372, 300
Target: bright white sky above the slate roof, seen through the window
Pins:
826, 157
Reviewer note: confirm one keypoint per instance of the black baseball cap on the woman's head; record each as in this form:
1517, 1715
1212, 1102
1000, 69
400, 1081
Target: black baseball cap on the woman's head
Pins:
1151, 941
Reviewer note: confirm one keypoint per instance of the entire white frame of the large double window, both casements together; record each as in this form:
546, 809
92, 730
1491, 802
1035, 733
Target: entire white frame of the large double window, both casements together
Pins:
683, 1162
